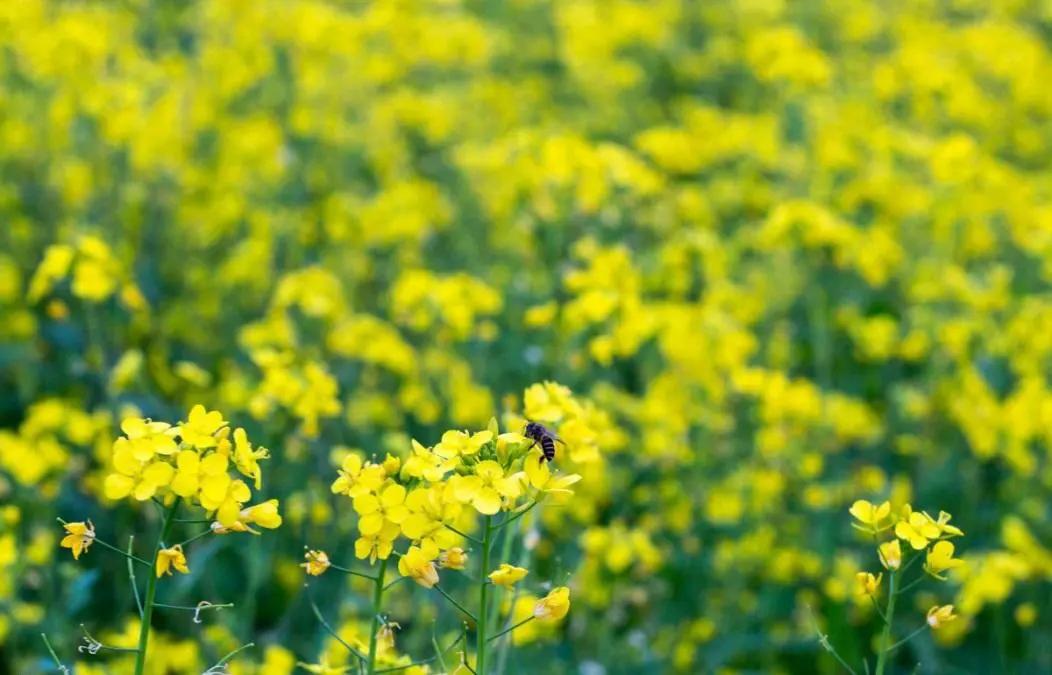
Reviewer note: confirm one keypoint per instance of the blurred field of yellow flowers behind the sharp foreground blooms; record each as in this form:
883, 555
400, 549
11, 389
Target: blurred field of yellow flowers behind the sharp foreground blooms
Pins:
795, 254
